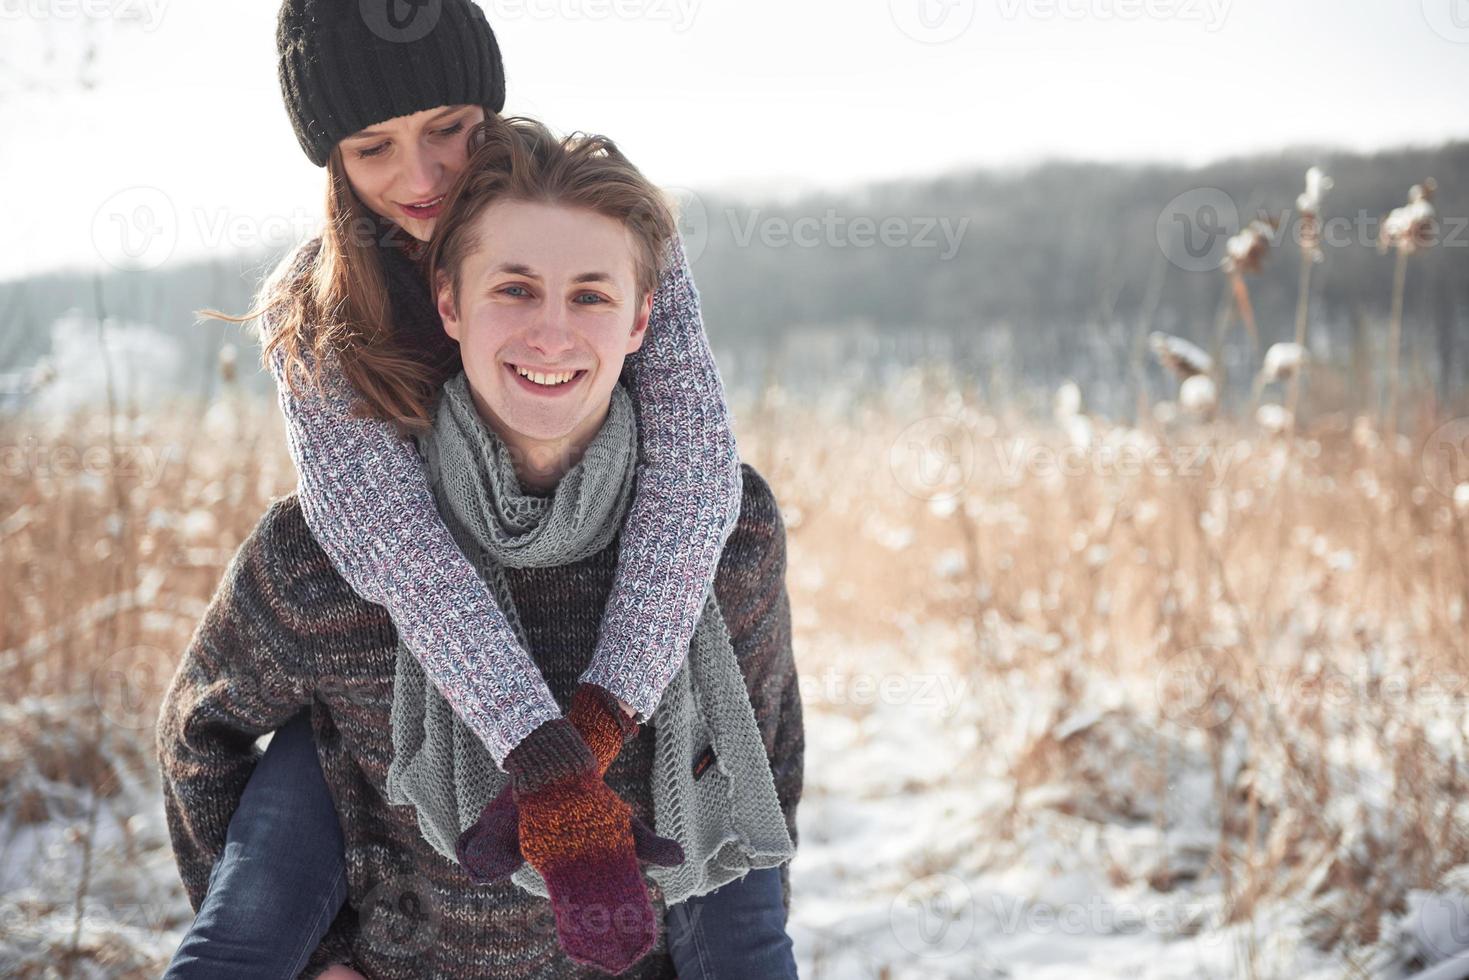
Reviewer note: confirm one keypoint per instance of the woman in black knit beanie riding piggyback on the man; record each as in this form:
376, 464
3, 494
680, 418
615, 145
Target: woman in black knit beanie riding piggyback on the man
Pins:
393, 142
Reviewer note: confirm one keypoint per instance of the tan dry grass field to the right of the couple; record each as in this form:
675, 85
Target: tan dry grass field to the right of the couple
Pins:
1291, 625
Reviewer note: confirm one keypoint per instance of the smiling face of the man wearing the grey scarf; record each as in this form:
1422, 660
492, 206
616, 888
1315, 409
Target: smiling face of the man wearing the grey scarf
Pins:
552, 292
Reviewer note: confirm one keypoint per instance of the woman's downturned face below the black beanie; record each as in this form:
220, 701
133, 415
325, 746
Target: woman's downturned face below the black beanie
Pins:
405, 167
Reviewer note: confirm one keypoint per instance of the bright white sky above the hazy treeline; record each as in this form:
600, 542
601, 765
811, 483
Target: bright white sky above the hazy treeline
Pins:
716, 95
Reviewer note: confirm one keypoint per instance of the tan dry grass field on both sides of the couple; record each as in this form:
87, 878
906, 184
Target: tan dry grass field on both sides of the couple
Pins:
1277, 628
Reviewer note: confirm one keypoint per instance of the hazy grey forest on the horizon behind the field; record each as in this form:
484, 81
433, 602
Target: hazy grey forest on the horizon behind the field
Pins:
1017, 278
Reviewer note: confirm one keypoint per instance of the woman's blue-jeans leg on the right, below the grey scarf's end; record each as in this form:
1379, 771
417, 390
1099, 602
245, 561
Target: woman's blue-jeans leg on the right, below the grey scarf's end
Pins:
735, 932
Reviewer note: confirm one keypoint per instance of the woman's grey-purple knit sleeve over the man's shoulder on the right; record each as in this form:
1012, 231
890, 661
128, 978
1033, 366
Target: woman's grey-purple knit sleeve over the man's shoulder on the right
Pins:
685, 506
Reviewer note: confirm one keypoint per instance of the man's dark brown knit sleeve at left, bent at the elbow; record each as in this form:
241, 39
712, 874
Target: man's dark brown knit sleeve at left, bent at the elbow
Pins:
240, 678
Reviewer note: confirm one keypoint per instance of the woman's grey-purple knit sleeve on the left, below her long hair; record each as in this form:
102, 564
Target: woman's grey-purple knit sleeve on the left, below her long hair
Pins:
367, 497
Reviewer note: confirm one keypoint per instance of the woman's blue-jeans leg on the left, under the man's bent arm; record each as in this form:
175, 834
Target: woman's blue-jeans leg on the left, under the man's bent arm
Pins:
283, 876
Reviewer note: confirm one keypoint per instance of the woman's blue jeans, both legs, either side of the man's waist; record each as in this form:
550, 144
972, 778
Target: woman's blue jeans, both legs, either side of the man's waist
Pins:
283, 879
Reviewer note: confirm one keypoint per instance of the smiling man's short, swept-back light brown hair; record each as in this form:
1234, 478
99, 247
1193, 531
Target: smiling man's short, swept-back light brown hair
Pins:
519, 159
